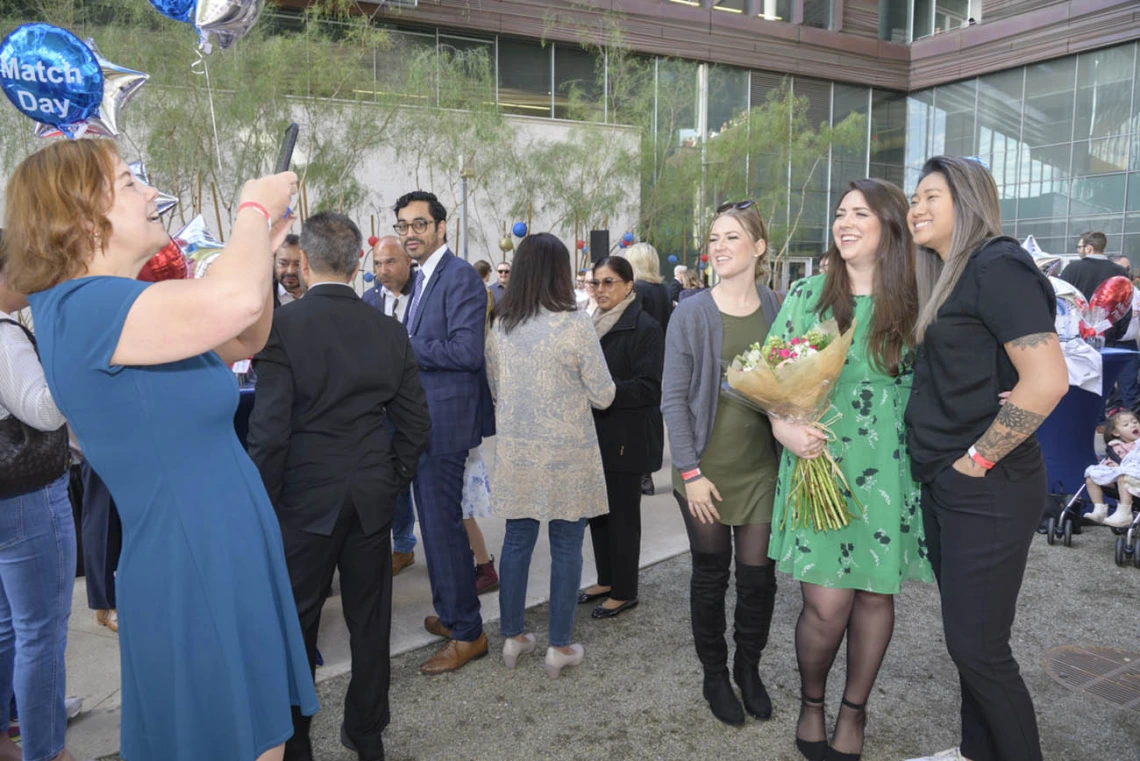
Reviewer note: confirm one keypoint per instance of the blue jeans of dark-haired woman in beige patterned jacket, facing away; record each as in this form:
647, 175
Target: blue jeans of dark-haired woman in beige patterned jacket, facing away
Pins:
566, 576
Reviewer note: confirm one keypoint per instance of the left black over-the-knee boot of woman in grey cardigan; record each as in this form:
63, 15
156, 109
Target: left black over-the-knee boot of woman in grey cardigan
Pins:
706, 600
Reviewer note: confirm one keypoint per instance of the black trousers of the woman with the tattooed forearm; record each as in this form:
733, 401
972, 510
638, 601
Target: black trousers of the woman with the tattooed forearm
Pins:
979, 534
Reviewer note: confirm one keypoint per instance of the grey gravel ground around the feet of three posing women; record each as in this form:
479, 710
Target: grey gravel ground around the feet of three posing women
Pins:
638, 695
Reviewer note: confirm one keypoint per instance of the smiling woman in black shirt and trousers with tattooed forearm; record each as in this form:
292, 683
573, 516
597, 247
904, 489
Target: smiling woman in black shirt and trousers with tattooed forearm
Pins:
986, 326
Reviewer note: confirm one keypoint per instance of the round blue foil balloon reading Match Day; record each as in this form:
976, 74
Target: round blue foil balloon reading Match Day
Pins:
52, 77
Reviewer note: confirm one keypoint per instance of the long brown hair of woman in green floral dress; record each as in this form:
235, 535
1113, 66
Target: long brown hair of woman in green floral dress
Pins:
895, 294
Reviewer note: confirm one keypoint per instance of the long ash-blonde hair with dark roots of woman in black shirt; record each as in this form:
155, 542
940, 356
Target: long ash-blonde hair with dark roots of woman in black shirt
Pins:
978, 218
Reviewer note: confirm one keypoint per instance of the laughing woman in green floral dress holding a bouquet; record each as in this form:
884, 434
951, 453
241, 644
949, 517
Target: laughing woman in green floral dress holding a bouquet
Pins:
850, 577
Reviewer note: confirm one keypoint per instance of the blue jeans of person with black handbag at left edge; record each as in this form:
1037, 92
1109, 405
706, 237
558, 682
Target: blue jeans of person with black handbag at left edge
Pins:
37, 578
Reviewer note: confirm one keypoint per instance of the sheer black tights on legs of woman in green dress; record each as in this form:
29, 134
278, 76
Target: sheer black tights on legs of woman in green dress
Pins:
869, 621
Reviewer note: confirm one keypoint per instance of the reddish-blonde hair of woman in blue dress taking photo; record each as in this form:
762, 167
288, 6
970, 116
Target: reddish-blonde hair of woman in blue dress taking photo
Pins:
56, 211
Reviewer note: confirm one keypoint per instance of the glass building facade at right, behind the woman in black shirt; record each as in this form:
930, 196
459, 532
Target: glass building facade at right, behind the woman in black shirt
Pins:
1061, 137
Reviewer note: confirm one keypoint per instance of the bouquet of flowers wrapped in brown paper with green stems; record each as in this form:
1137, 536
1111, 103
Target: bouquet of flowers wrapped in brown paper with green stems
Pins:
794, 380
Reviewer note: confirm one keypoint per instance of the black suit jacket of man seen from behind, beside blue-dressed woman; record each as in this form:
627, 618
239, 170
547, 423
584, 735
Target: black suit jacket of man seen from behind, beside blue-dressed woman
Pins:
333, 370
